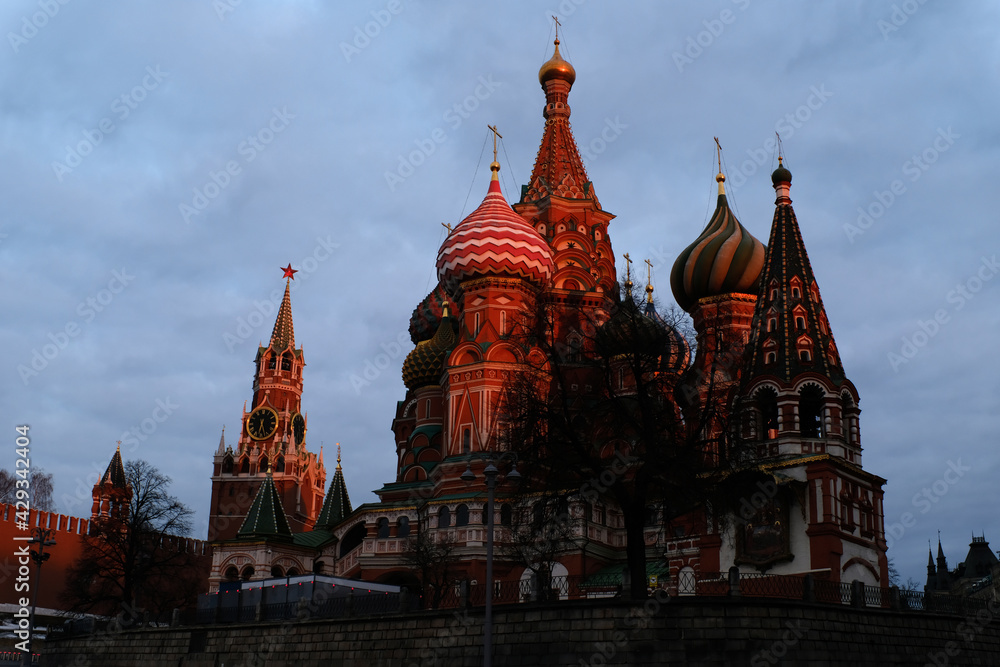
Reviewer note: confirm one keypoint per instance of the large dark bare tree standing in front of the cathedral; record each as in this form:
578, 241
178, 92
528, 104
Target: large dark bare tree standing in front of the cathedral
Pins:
609, 406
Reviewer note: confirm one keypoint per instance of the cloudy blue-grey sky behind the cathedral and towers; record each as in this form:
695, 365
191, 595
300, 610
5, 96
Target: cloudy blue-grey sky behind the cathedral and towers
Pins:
161, 161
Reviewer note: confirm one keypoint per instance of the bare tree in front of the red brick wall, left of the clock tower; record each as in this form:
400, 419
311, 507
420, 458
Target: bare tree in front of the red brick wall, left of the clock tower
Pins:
138, 560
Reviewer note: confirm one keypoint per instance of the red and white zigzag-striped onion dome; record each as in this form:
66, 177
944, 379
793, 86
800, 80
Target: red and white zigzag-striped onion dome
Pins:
493, 240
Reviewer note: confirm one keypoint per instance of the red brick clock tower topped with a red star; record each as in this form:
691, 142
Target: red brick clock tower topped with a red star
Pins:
272, 435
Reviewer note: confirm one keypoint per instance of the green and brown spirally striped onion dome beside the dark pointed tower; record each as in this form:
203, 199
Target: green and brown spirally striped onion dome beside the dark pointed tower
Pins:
725, 259
